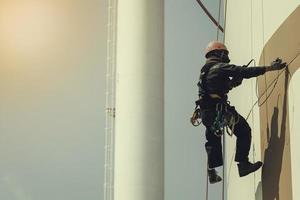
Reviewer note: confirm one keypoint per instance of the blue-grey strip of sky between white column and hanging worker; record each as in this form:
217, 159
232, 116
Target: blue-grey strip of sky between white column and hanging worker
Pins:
187, 32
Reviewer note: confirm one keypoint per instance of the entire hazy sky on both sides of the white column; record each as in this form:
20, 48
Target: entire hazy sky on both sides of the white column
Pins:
52, 105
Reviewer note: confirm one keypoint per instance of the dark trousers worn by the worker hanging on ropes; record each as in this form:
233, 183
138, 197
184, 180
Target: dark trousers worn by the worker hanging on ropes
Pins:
213, 146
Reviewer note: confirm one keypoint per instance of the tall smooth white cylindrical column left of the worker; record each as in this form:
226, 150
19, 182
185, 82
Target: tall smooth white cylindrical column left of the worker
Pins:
139, 101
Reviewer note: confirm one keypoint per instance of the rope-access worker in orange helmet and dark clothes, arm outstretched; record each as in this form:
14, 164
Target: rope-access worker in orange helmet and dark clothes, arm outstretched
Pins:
217, 78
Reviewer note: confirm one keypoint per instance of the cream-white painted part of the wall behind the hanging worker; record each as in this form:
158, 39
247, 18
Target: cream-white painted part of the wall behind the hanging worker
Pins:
248, 29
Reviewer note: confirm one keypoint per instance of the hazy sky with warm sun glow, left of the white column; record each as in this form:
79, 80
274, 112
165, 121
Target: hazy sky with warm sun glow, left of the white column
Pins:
52, 105
